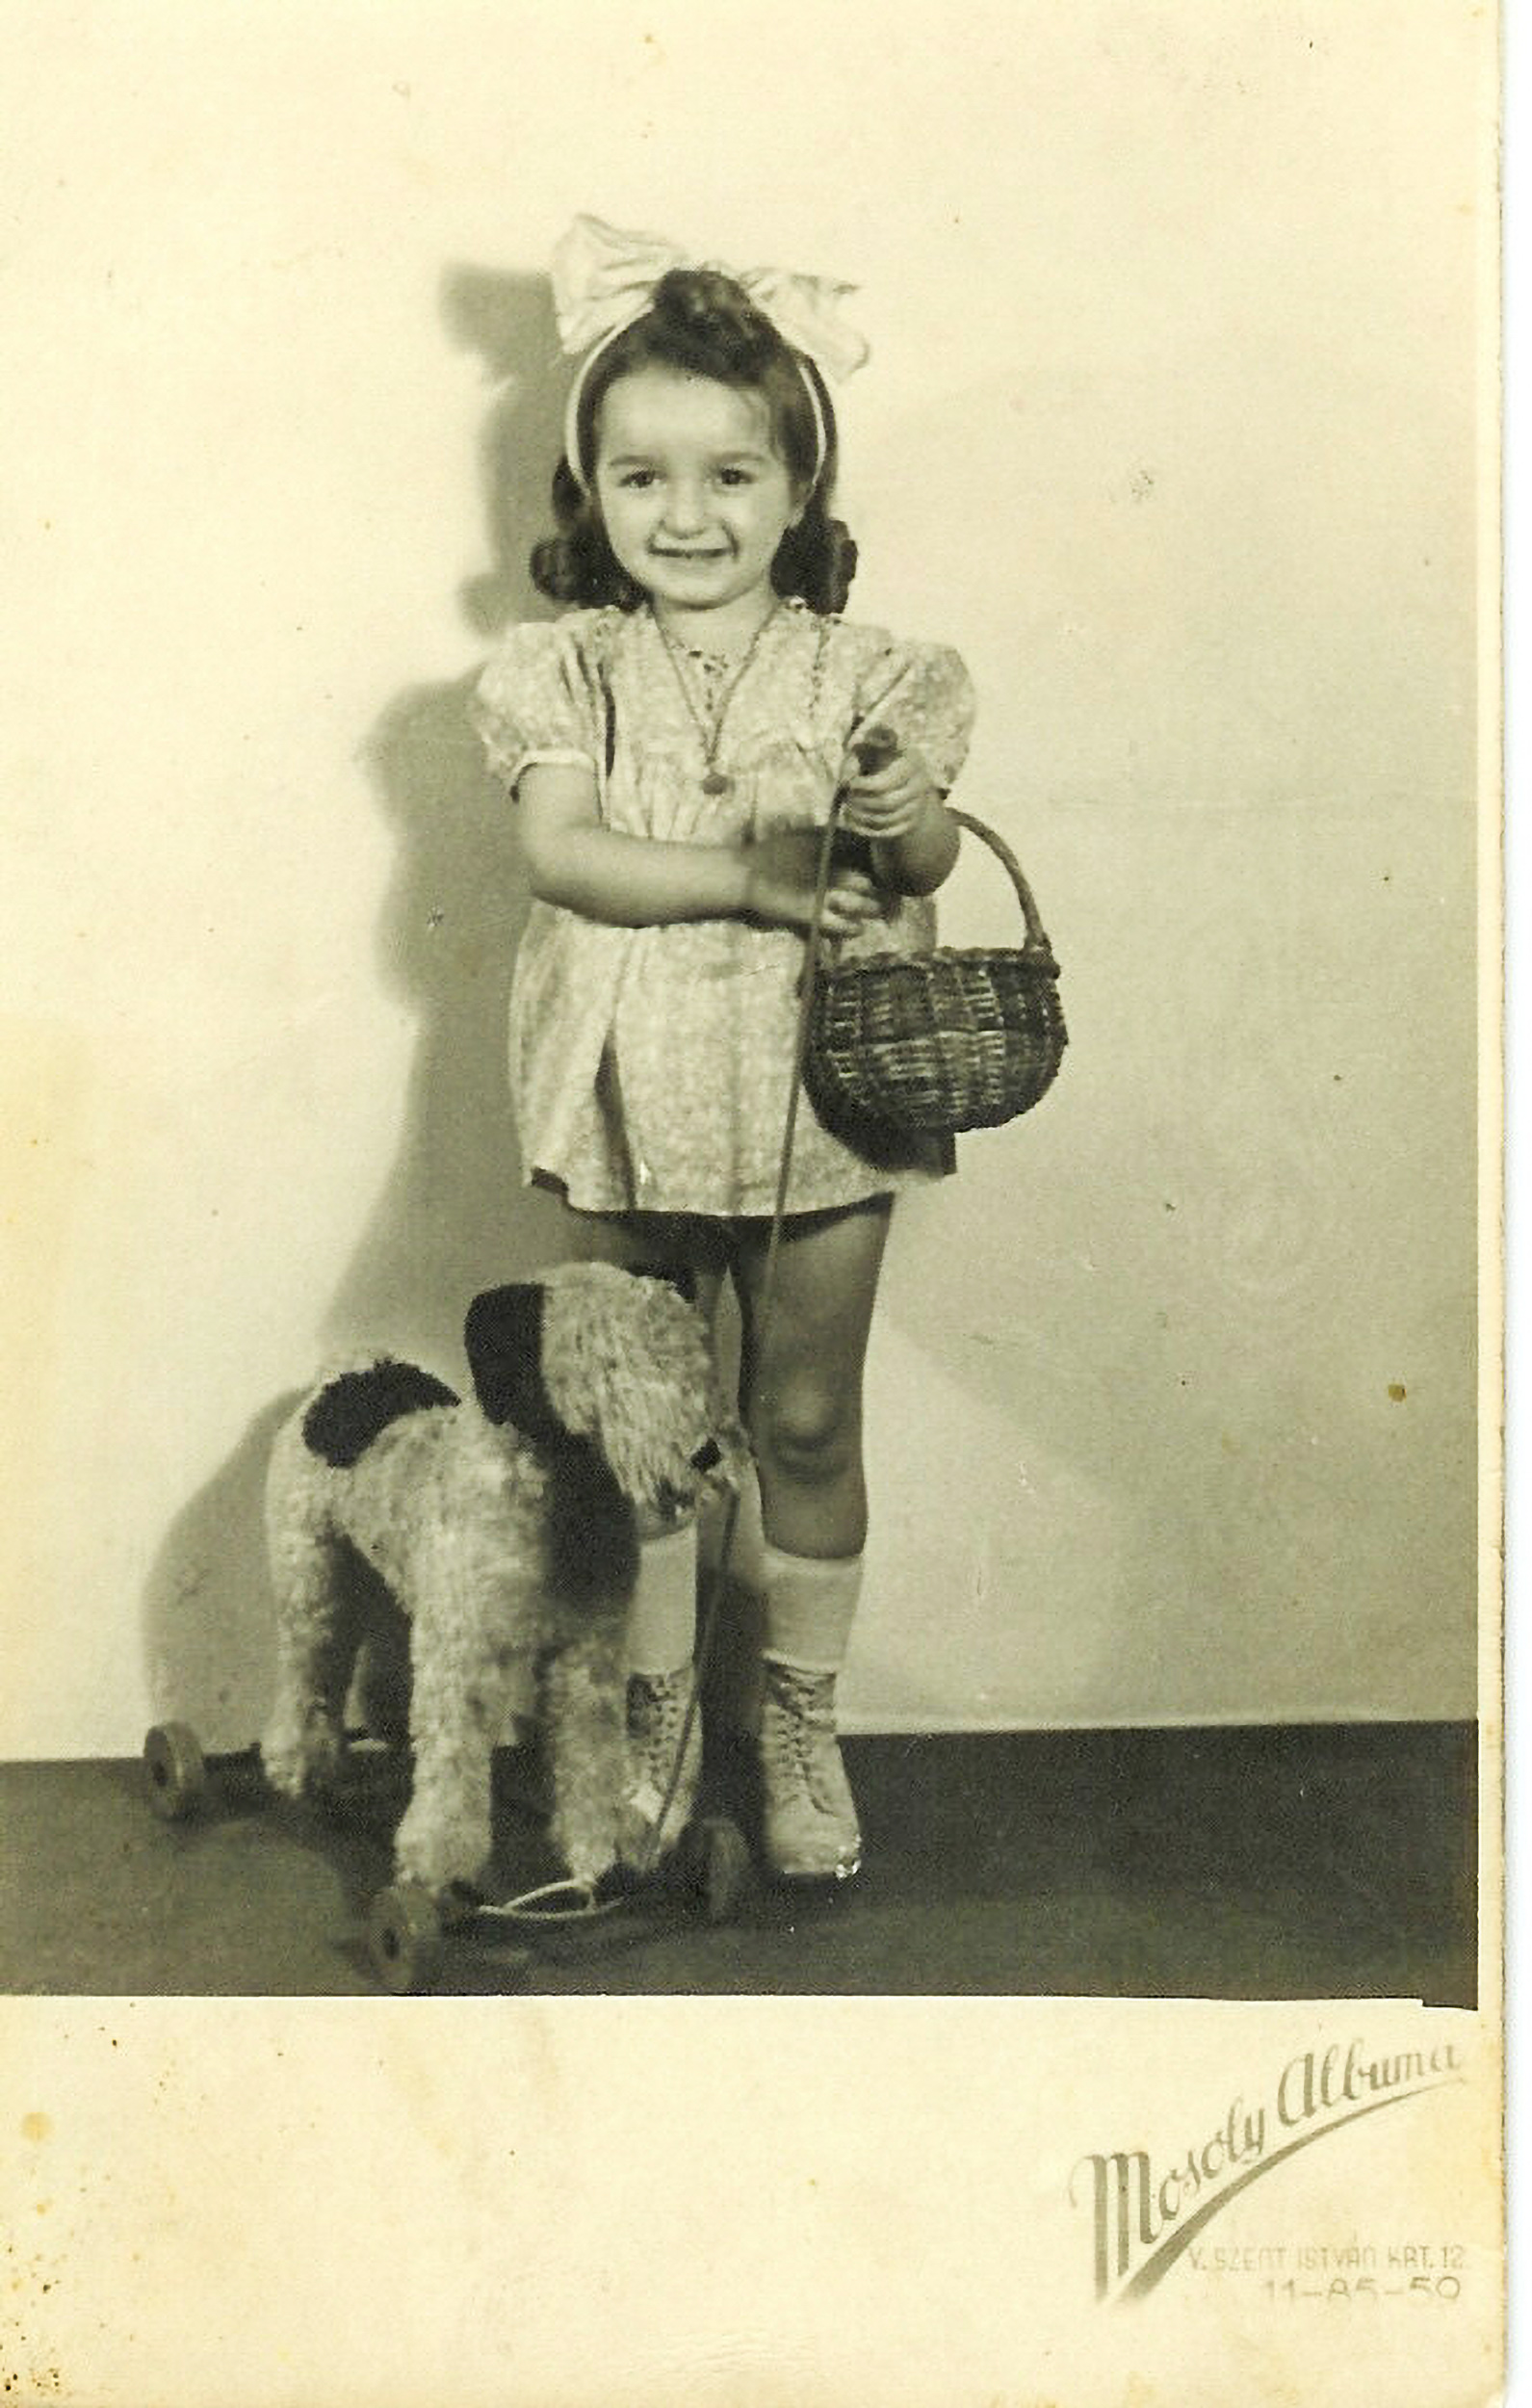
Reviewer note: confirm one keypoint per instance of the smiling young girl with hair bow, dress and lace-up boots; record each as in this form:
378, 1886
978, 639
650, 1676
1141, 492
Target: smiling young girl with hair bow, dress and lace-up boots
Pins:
673, 745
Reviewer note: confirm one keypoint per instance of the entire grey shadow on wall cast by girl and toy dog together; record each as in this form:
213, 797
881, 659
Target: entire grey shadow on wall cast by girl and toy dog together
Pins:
454, 1215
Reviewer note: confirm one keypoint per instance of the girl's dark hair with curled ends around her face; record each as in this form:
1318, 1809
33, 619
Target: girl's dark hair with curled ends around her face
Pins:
705, 324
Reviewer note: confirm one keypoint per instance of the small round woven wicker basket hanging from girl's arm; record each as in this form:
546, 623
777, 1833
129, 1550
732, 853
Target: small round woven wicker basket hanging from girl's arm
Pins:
936, 1044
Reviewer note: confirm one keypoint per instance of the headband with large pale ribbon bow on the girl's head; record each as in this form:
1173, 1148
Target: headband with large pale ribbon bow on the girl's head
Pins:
606, 281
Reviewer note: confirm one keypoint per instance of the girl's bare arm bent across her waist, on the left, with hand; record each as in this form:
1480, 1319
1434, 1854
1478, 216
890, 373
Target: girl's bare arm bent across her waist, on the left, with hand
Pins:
644, 883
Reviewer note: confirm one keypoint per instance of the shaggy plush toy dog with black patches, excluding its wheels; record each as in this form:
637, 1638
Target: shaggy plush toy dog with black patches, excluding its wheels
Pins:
507, 1530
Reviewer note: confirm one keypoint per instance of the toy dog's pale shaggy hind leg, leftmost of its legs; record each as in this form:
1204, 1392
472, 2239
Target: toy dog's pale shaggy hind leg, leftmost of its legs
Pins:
319, 1629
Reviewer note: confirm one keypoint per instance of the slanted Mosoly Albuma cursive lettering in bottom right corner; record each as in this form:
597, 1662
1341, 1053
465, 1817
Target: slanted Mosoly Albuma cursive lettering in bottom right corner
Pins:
1145, 2212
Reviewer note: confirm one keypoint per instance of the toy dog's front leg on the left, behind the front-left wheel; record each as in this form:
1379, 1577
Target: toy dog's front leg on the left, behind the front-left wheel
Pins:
464, 1653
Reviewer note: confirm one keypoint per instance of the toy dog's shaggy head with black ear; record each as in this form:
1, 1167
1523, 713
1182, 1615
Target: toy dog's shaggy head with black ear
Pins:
620, 1359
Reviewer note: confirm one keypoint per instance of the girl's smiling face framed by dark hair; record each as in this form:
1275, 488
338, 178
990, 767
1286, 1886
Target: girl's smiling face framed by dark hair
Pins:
695, 497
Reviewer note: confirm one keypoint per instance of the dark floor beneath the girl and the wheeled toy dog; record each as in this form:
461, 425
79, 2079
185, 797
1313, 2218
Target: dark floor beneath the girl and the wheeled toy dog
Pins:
1206, 1863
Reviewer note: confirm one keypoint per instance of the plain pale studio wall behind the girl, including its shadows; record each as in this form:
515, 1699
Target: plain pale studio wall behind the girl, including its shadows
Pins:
1172, 427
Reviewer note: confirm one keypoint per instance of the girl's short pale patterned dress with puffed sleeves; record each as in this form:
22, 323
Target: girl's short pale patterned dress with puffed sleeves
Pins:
652, 1066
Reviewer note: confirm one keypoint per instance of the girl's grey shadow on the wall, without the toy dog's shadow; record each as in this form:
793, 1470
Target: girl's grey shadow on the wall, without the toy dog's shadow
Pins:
454, 1215
